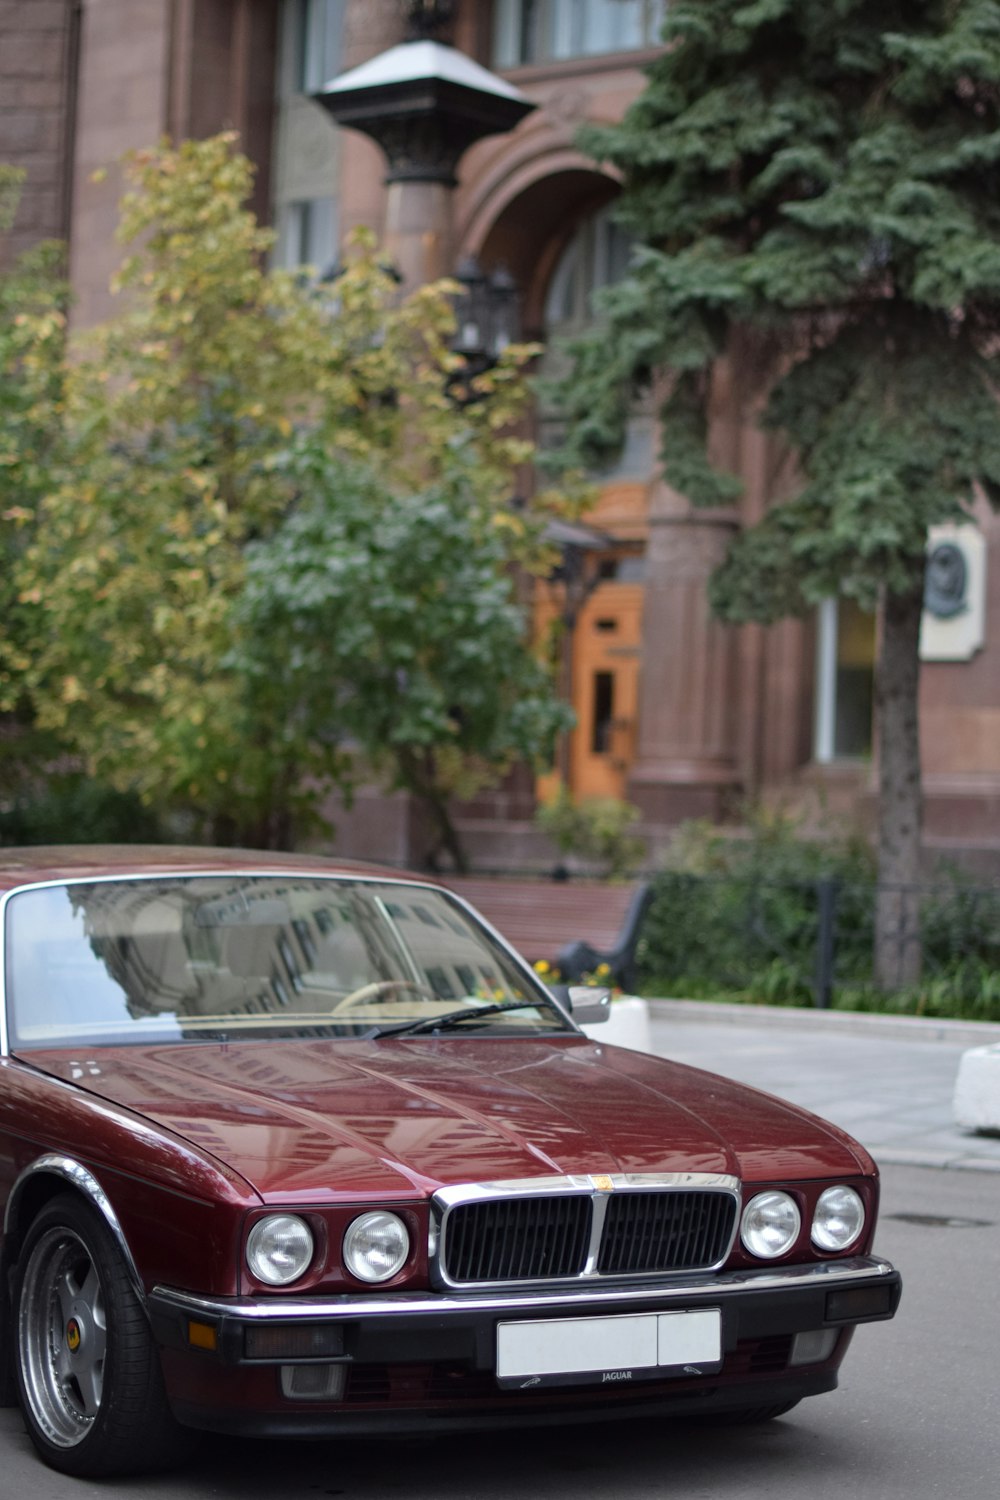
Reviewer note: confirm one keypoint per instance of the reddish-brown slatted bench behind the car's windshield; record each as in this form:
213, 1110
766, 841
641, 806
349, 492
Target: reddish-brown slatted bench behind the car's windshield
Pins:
573, 926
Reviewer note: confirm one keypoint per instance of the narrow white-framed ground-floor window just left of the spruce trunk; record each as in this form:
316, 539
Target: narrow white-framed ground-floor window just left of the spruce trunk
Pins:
845, 682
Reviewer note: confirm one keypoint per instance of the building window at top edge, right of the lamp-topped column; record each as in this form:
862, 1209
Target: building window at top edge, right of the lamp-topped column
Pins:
548, 31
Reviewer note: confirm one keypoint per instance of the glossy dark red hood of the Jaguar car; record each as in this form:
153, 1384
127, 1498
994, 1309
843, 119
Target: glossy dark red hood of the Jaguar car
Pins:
334, 1120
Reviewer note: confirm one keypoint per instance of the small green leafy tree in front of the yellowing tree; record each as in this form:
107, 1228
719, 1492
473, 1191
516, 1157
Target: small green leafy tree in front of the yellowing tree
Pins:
388, 622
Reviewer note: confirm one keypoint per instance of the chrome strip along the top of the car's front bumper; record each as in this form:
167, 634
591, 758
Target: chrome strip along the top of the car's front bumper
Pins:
573, 1300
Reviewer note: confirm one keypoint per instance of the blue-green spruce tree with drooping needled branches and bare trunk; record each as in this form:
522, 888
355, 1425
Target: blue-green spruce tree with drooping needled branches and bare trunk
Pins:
816, 193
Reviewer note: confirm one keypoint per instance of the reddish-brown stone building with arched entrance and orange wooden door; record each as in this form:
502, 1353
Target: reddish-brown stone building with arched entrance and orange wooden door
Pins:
677, 713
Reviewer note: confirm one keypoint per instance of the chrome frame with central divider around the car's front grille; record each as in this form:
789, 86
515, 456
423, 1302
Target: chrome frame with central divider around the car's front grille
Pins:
600, 1189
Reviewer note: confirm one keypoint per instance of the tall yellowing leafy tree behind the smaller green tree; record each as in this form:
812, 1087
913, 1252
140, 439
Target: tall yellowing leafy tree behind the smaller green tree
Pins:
220, 412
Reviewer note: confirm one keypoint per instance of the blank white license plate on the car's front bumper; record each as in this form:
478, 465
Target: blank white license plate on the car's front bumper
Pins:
609, 1351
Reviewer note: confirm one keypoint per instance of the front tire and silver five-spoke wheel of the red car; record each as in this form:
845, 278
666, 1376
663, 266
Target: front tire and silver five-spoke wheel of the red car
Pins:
88, 1372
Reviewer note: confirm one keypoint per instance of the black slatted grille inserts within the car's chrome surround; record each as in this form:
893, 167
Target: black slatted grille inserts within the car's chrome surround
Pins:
546, 1237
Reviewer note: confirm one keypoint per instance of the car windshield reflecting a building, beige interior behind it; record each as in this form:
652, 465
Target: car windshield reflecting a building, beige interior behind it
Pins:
226, 958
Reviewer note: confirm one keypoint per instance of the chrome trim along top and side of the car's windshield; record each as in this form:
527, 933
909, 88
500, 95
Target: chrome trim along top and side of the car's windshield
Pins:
214, 874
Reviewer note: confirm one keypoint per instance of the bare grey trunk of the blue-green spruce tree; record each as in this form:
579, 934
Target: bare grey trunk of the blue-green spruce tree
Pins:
897, 955
